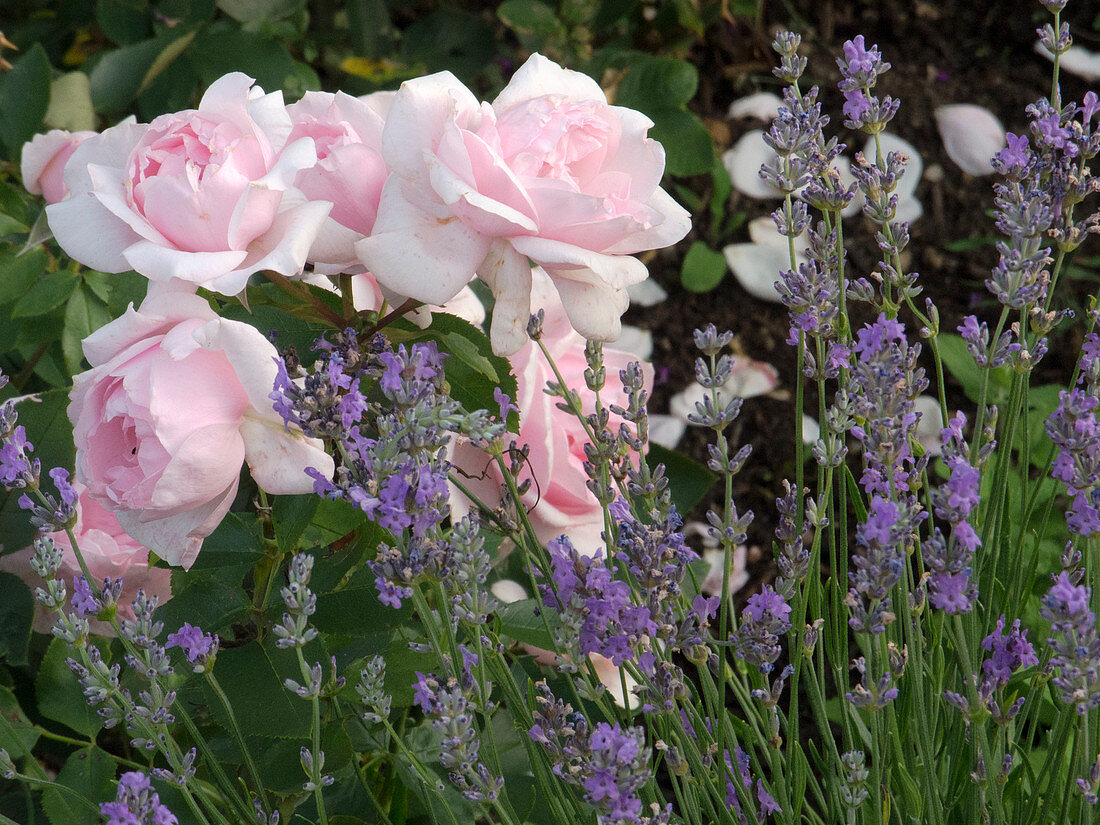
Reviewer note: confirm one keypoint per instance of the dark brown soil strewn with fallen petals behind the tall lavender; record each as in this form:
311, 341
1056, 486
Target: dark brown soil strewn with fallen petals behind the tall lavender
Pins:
951, 52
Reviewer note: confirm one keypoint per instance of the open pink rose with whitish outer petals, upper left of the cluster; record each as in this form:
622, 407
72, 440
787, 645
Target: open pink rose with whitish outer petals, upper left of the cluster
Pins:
204, 195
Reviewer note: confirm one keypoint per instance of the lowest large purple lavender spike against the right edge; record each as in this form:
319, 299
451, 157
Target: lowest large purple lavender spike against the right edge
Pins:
1076, 646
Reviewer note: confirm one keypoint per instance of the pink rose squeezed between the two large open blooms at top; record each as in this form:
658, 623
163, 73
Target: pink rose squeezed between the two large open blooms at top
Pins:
349, 173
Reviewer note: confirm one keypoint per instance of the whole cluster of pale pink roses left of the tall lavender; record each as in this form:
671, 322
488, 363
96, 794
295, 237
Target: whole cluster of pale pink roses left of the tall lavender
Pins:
405, 195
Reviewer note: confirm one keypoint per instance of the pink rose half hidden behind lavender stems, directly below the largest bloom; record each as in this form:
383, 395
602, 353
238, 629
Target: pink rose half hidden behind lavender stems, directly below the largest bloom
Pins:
558, 501
